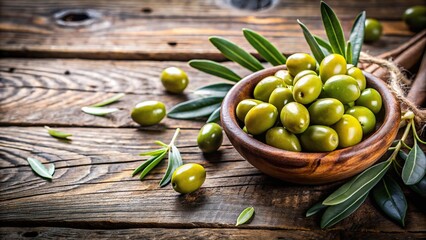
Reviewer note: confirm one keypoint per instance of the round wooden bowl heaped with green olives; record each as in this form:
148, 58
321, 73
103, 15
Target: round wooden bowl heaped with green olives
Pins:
307, 126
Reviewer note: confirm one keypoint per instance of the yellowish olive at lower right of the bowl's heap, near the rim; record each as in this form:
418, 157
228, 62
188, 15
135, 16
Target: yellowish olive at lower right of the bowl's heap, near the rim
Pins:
349, 131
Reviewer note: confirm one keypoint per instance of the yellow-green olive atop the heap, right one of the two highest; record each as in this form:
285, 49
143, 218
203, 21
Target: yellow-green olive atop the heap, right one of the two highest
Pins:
333, 64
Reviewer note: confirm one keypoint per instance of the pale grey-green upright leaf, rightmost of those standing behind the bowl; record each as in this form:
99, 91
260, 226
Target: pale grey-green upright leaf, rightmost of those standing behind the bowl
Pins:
357, 37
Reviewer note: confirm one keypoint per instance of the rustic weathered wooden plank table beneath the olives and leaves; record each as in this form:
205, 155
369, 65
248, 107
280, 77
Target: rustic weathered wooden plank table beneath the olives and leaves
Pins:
54, 62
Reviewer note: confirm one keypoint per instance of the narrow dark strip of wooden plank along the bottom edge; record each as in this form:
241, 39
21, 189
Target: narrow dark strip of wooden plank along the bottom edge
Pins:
199, 233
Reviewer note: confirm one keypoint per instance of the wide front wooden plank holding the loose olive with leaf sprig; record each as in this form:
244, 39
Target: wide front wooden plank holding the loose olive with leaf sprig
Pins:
94, 169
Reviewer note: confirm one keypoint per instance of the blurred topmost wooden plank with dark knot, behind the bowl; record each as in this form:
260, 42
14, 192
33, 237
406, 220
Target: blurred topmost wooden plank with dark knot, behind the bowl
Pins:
175, 30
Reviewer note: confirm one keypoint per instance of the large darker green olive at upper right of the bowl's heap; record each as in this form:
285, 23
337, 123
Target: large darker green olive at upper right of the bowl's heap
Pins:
342, 87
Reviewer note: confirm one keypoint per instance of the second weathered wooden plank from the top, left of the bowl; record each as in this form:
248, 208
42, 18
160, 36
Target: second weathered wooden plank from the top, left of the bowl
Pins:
52, 92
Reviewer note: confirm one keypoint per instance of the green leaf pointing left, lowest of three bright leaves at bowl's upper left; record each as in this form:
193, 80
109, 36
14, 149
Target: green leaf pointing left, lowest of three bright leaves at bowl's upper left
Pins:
215, 69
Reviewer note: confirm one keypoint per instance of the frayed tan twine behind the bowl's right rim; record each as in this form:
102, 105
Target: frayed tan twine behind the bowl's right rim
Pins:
397, 82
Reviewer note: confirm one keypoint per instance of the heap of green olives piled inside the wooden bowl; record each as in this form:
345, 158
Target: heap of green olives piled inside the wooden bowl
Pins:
299, 109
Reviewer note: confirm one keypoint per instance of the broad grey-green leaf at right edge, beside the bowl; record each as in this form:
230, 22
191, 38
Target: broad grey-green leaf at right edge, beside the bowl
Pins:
415, 166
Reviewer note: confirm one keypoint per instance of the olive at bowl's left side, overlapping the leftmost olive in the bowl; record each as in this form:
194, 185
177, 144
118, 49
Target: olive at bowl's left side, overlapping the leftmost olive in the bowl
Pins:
260, 118
